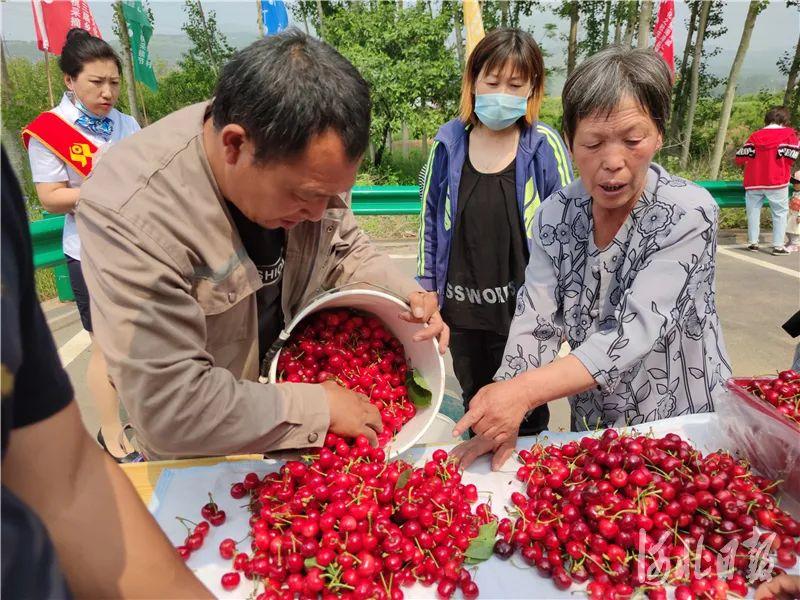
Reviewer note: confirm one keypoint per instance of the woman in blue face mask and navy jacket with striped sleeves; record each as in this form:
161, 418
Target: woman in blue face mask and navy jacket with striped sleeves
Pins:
486, 174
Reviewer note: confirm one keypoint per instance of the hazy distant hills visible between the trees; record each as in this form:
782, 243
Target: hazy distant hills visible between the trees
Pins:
758, 72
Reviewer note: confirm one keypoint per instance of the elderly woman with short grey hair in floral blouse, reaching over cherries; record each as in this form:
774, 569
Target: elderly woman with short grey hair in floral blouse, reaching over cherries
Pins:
622, 266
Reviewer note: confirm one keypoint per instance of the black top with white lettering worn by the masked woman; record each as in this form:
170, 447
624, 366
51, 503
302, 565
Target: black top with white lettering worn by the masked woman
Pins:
488, 253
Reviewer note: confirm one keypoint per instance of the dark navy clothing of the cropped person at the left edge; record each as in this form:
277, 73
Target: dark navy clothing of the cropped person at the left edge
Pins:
34, 387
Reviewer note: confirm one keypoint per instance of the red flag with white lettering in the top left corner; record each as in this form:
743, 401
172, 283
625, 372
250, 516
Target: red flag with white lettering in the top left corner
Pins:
54, 18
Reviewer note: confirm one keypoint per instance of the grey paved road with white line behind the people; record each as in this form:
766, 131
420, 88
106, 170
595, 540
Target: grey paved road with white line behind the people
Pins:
756, 293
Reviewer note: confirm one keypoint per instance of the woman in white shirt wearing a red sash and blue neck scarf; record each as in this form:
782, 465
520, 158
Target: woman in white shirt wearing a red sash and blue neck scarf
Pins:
62, 145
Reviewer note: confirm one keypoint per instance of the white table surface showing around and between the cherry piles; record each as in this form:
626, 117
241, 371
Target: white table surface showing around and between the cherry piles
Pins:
182, 492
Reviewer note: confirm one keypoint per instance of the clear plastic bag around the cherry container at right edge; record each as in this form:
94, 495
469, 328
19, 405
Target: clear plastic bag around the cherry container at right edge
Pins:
762, 435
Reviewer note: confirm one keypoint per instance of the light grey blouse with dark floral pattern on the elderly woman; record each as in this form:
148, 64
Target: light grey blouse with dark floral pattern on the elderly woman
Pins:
639, 314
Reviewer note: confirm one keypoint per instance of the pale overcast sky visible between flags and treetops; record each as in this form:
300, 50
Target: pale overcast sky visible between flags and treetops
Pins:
777, 27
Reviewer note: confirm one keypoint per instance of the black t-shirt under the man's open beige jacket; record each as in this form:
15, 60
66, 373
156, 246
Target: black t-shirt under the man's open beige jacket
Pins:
266, 248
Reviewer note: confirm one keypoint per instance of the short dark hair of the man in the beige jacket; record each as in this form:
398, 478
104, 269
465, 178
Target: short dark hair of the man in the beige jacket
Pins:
286, 88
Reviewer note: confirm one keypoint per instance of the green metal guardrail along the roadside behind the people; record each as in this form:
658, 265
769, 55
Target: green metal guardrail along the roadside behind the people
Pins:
367, 200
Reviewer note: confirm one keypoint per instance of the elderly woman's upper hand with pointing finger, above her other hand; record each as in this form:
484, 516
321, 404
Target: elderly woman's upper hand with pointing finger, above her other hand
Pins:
496, 411
